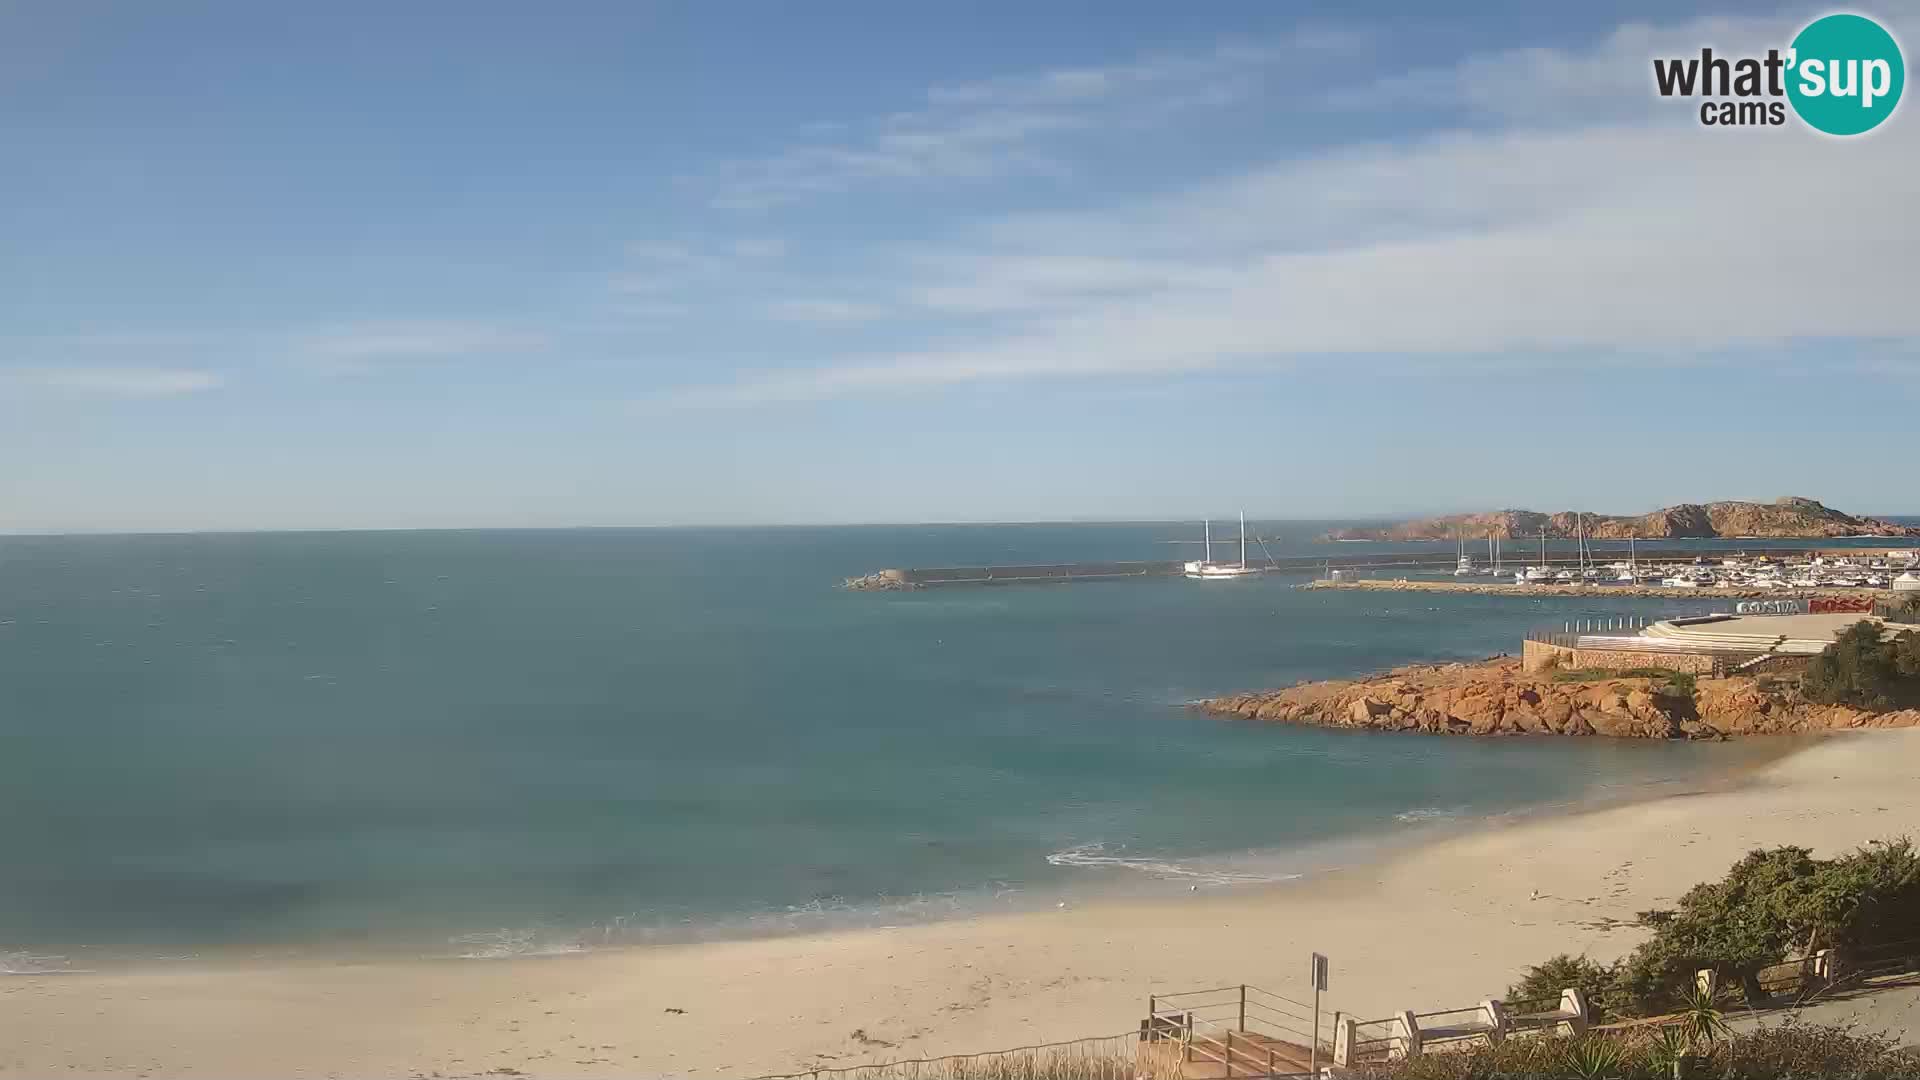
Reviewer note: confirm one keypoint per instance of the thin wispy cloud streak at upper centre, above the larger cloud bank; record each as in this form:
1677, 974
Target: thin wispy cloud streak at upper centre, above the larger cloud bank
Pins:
1001, 128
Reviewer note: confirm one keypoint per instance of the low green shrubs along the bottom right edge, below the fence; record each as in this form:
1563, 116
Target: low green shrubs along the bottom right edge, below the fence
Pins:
1787, 1052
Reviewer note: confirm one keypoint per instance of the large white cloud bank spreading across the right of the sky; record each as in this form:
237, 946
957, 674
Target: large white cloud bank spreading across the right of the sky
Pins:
1654, 237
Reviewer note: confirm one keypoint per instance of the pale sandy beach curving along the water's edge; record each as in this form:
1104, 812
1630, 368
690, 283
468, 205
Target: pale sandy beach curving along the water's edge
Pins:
1441, 925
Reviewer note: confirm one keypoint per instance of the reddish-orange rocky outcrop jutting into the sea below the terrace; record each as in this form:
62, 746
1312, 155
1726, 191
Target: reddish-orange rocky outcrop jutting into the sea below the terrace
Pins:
1499, 699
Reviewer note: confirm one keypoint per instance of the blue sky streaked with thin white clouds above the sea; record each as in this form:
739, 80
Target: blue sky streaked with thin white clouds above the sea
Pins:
391, 266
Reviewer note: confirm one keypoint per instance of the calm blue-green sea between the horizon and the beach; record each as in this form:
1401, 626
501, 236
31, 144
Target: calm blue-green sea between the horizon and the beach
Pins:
498, 743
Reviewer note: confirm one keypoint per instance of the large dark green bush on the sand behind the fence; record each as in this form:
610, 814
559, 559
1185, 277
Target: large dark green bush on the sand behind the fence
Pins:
1773, 906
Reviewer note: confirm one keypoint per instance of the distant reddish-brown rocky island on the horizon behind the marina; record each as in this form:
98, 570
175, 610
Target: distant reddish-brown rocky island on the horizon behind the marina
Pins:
1788, 518
